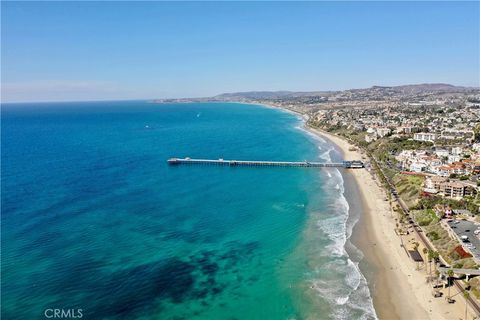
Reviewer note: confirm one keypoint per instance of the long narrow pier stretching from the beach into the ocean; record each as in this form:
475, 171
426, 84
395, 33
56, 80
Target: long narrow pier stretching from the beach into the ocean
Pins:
305, 164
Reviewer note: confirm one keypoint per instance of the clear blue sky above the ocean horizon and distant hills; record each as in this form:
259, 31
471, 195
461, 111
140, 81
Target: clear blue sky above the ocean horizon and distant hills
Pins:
68, 51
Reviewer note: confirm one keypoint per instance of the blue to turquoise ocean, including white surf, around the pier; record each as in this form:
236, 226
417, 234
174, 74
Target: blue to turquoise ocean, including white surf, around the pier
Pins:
94, 218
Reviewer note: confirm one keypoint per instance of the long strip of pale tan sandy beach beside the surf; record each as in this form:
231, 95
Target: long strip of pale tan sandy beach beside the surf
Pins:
399, 290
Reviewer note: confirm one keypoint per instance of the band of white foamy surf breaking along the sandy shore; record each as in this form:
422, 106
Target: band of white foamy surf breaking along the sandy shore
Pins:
340, 281
